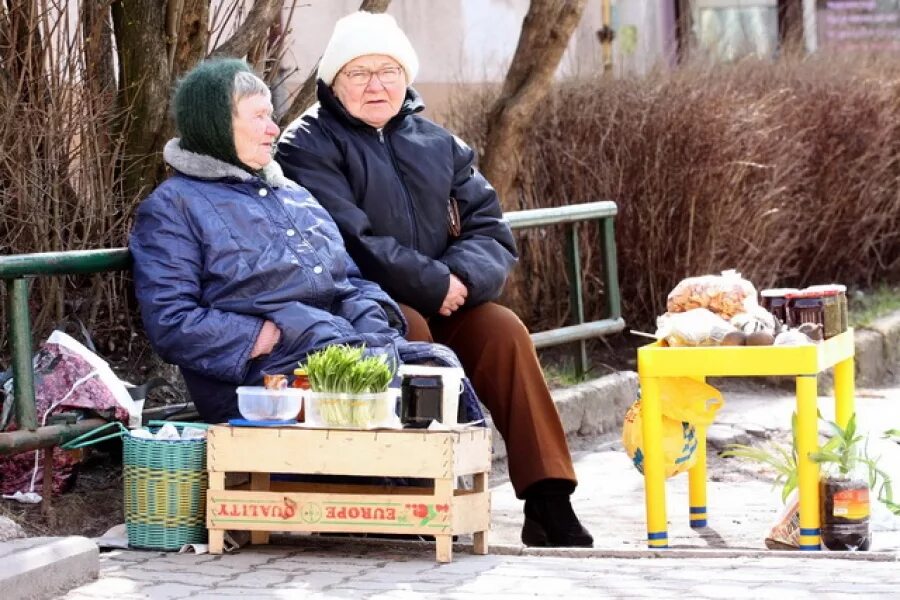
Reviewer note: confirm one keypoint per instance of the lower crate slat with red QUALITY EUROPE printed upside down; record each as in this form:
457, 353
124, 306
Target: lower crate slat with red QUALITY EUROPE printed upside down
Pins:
271, 511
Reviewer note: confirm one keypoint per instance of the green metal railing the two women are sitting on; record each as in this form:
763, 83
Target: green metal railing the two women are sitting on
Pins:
15, 271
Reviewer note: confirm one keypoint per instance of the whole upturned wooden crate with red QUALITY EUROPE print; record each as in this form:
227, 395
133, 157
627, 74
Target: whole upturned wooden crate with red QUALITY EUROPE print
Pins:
438, 510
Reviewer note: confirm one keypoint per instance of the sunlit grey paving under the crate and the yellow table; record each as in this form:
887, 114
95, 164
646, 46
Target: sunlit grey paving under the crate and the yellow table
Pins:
727, 560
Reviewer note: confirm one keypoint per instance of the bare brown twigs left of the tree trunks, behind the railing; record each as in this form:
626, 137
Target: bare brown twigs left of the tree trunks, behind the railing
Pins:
59, 182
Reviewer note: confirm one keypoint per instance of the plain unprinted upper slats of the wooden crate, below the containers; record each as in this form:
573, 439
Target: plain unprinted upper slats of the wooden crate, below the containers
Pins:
344, 452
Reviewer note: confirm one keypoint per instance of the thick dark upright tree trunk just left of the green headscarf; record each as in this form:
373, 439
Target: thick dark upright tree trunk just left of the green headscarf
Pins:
144, 88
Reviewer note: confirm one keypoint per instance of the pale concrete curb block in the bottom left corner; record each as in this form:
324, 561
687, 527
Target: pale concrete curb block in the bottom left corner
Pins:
44, 567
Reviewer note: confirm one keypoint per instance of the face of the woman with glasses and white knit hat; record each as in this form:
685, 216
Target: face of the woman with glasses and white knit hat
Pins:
371, 88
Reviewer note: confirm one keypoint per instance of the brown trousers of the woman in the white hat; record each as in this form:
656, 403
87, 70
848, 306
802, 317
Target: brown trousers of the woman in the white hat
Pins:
500, 361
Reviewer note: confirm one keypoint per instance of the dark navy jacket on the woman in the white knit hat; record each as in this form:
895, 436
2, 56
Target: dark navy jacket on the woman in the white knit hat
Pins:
389, 191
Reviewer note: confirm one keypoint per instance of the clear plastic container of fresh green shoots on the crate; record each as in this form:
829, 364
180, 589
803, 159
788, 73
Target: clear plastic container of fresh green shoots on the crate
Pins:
350, 390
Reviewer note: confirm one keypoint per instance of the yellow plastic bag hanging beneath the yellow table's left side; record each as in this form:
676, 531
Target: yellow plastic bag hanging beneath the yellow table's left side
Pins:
685, 403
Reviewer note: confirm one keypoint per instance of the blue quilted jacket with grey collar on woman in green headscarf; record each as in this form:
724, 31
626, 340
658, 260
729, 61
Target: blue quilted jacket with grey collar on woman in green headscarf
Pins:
217, 251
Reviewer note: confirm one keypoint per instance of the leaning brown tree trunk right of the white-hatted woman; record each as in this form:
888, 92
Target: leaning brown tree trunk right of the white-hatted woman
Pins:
546, 31
